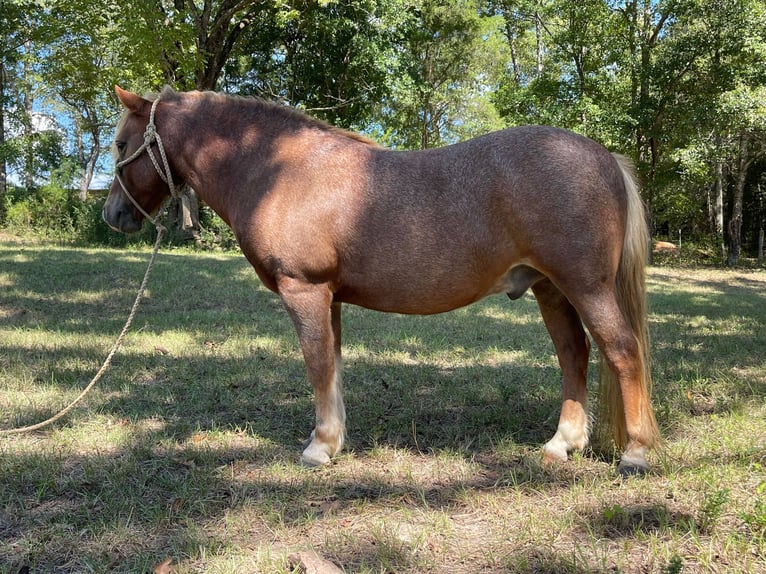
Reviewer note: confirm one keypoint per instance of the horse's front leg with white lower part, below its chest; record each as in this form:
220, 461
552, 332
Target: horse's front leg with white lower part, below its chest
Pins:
317, 321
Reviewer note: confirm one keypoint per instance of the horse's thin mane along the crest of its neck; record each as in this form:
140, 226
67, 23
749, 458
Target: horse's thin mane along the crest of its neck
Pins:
290, 114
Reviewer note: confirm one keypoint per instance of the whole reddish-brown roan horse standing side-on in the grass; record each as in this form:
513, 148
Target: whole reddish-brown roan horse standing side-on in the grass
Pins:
327, 217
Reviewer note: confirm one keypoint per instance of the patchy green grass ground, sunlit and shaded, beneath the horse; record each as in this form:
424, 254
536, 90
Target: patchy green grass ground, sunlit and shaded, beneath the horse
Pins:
189, 446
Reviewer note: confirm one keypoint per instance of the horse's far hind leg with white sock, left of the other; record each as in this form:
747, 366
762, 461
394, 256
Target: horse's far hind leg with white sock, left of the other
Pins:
572, 347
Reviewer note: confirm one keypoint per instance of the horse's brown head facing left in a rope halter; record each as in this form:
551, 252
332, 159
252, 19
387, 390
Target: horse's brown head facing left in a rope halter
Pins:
139, 185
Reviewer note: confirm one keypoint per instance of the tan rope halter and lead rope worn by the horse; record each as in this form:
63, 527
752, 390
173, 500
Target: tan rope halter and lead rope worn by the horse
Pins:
150, 136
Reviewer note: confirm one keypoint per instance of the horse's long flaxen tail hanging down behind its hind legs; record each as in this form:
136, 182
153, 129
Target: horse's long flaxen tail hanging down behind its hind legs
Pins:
631, 298
